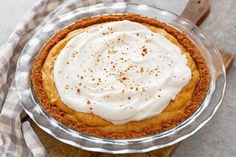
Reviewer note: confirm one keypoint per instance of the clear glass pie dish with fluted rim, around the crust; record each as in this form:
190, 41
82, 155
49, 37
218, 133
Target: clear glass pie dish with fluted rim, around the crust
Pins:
167, 138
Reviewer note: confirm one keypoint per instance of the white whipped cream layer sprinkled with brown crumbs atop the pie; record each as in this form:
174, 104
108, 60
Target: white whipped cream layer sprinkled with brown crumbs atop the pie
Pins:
120, 71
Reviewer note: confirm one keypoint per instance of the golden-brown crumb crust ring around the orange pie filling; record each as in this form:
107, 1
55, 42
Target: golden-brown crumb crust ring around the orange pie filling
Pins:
199, 94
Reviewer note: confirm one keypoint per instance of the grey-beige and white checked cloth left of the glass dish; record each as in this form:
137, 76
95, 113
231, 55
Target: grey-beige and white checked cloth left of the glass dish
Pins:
18, 138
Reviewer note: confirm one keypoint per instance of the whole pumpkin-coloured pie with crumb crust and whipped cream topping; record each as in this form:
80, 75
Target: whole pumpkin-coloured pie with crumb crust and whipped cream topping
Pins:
120, 76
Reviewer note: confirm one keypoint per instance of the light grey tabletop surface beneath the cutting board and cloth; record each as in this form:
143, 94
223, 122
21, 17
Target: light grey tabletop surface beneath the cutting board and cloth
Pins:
218, 137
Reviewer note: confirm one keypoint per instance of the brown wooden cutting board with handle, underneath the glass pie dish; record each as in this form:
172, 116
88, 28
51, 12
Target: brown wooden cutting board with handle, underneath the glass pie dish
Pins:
195, 11
